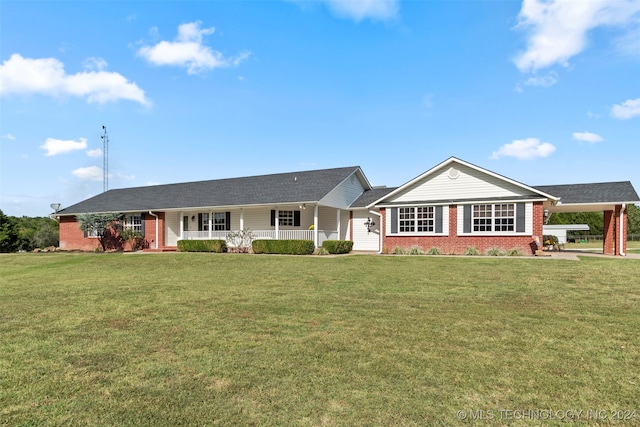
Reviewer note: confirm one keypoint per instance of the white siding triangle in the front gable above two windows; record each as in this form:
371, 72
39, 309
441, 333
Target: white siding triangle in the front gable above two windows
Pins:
469, 184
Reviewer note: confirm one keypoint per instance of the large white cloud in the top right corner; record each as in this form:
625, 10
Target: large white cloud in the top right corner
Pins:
557, 29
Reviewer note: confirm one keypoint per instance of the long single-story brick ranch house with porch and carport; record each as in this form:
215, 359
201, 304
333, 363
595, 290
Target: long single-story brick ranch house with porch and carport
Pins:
452, 206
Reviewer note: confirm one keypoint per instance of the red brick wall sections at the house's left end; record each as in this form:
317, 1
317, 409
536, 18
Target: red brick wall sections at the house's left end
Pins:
72, 238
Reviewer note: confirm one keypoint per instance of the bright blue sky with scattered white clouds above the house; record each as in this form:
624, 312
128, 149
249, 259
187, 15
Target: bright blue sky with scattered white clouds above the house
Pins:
543, 92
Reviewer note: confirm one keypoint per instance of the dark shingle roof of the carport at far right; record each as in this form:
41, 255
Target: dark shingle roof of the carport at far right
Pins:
602, 192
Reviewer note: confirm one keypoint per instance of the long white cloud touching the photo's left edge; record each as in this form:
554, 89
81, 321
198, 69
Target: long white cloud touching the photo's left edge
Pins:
47, 76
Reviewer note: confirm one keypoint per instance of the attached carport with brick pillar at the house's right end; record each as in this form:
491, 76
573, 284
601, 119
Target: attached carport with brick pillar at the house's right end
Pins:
611, 198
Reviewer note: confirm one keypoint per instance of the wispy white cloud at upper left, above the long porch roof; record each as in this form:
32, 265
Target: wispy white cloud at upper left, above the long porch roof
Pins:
188, 51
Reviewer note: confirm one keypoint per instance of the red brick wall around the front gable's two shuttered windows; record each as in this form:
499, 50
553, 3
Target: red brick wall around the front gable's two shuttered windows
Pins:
456, 245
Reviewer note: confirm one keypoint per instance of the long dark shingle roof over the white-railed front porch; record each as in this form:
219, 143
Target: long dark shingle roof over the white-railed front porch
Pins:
292, 187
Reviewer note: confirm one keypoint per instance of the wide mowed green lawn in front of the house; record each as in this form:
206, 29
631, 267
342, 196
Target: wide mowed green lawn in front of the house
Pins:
207, 339
